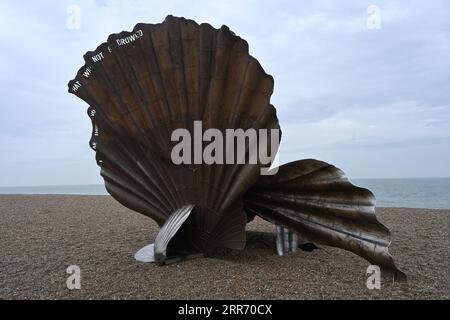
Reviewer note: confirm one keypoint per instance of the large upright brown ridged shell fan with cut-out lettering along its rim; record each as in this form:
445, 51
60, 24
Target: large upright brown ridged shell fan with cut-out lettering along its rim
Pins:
144, 84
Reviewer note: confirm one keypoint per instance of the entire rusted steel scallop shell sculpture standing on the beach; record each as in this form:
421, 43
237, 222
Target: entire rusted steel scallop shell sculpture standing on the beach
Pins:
144, 84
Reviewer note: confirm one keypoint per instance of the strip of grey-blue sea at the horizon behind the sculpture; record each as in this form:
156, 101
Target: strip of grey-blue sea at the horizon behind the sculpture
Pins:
432, 193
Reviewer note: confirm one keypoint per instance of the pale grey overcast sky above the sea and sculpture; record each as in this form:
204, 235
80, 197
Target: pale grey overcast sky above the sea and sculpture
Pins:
374, 102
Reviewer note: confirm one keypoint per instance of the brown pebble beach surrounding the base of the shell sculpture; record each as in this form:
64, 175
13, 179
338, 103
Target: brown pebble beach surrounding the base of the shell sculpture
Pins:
42, 235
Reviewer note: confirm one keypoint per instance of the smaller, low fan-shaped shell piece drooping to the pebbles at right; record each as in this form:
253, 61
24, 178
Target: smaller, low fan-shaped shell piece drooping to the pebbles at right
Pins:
317, 200
